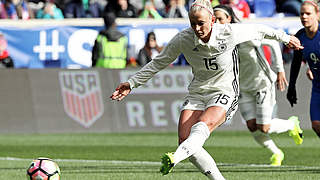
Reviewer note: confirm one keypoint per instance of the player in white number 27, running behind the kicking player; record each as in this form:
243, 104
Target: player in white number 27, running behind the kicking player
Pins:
257, 90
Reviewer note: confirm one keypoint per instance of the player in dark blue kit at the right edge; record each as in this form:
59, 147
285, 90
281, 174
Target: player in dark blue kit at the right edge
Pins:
310, 38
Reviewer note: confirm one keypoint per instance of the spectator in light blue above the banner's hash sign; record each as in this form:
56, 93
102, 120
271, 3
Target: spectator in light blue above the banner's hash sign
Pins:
49, 11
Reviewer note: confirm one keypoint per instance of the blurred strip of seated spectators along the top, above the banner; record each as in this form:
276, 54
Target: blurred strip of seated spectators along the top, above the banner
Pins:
59, 9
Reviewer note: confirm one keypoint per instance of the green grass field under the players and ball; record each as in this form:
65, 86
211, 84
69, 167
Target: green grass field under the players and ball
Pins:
136, 156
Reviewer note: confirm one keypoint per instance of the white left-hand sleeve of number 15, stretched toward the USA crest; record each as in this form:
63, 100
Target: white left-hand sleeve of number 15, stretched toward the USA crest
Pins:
161, 61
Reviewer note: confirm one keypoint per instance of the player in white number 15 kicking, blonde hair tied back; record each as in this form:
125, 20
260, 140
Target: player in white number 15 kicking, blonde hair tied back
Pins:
211, 51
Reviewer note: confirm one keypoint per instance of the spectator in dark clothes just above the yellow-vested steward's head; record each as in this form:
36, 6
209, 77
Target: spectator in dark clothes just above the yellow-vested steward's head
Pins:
121, 8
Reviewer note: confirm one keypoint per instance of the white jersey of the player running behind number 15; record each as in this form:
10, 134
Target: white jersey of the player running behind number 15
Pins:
255, 71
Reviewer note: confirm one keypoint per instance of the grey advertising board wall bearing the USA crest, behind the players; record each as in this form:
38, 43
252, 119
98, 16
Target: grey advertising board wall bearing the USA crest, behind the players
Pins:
64, 100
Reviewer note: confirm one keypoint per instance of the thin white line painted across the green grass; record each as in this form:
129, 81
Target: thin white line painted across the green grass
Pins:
156, 163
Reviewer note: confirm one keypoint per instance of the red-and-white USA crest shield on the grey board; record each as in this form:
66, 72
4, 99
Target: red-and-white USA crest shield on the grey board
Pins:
81, 94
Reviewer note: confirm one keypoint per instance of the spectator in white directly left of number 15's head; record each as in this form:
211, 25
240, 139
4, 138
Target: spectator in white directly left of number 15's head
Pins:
177, 9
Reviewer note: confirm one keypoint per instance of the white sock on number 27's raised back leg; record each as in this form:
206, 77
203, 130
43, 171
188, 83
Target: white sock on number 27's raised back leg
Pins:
280, 126
